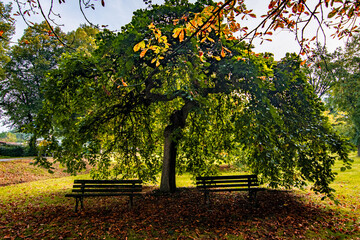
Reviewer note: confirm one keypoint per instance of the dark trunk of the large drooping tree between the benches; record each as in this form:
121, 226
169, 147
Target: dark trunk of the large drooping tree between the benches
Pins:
172, 135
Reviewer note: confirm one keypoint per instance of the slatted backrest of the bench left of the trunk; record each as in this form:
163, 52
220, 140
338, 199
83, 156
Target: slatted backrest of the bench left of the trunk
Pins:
107, 186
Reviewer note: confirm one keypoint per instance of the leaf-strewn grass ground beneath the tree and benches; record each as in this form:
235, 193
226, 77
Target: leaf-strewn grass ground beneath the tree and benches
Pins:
38, 210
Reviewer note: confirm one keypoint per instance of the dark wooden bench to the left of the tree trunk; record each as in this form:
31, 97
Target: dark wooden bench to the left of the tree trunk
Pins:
104, 188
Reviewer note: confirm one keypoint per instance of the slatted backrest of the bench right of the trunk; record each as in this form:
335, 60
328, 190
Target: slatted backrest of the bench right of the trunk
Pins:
228, 182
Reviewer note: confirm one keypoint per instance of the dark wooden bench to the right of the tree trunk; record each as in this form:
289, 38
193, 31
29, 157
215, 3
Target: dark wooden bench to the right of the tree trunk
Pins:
247, 183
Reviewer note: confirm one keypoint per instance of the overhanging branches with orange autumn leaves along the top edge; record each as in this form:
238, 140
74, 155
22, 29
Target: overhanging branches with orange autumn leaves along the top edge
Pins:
298, 17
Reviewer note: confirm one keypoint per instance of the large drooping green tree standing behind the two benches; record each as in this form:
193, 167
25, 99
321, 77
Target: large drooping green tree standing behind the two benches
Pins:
151, 100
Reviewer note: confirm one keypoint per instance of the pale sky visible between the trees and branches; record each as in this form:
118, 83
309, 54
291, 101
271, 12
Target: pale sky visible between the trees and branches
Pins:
117, 13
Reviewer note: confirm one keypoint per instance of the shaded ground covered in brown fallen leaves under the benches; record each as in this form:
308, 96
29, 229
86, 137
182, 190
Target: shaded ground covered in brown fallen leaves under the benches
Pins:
183, 215
